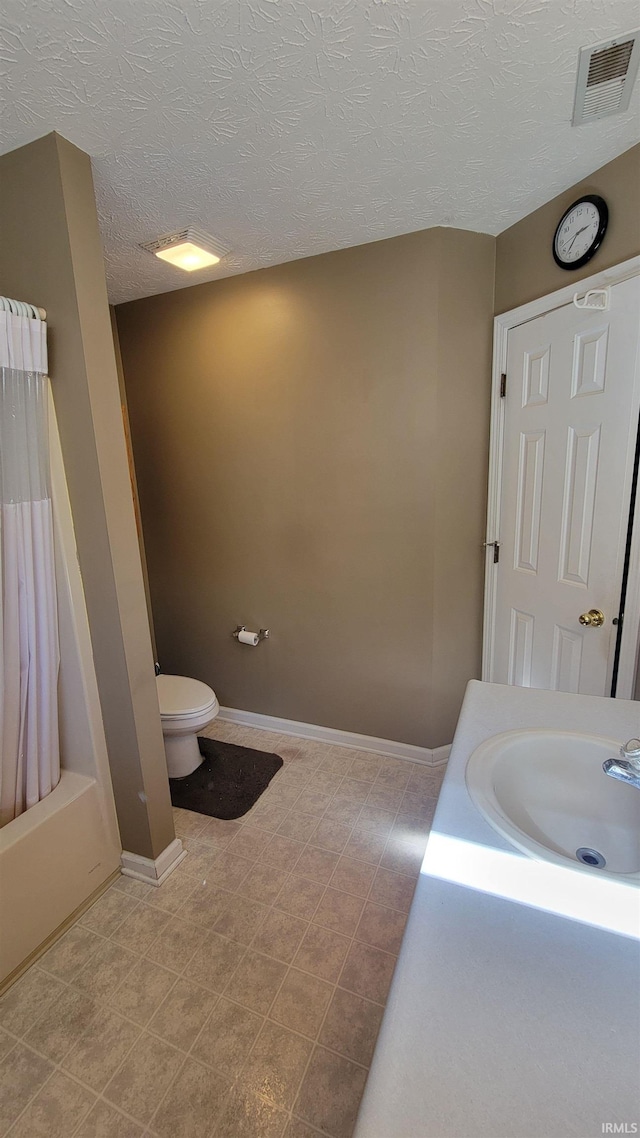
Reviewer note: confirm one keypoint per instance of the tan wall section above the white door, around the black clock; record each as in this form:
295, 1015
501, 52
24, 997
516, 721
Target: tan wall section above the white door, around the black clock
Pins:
524, 263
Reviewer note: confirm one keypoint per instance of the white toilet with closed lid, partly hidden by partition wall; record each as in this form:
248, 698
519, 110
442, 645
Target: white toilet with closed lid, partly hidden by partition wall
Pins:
186, 706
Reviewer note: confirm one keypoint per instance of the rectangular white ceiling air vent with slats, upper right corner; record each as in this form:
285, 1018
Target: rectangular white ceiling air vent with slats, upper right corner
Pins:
605, 79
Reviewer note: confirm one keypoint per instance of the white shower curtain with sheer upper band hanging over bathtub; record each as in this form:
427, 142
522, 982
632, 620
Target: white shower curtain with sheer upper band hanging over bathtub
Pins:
30, 762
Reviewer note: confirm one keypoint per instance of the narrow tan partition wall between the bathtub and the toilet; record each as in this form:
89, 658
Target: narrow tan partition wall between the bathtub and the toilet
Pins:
52, 257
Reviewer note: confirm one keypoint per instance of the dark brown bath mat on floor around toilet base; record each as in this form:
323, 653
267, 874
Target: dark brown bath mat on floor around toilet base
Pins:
228, 782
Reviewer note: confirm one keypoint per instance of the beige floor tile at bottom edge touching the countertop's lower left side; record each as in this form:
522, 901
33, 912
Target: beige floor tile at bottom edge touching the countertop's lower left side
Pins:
331, 1094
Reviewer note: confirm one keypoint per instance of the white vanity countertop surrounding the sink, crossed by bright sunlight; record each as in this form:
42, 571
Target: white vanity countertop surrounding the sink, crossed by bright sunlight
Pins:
506, 1020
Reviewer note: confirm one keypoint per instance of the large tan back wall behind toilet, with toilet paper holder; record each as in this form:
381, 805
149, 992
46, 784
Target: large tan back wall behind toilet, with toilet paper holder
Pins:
294, 474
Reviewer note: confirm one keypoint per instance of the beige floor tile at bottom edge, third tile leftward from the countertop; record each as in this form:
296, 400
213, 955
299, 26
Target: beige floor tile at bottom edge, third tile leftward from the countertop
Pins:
193, 1103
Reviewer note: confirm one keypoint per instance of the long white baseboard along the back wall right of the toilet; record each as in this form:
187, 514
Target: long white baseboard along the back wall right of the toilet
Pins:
388, 747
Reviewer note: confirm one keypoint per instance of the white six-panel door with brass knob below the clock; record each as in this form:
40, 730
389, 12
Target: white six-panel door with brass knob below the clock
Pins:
571, 420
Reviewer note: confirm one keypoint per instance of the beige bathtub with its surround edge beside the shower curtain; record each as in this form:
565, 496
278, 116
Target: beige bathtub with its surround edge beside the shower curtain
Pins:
62, 851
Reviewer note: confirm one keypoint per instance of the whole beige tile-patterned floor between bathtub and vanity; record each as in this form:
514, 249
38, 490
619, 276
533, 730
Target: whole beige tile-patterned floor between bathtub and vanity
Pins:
243, 999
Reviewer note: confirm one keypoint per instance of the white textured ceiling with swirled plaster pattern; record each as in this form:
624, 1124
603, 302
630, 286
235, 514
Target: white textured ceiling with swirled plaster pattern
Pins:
289, 128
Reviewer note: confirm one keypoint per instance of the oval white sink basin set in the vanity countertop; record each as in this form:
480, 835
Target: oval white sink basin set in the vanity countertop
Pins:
547, 794
